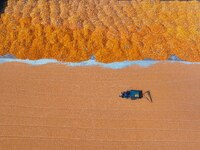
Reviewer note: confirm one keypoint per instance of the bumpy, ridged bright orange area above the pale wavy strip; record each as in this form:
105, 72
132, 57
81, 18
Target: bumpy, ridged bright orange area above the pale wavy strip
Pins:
74, 30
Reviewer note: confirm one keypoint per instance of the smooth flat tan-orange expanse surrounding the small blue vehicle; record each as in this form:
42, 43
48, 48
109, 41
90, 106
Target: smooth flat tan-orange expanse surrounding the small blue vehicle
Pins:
53, 107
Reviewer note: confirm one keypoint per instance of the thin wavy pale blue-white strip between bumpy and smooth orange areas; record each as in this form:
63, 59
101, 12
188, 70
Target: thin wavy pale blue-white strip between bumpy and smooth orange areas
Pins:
114, 65
